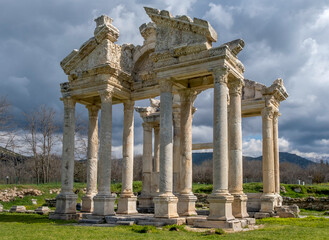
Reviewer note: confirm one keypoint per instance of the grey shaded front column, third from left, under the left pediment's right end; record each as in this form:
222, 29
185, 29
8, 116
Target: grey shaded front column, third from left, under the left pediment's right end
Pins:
104, 200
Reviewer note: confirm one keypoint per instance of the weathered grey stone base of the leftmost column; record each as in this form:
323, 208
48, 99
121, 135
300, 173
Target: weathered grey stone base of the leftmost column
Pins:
66, 203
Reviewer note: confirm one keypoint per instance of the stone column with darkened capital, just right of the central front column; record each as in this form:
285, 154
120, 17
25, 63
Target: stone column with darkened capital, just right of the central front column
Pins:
186, 199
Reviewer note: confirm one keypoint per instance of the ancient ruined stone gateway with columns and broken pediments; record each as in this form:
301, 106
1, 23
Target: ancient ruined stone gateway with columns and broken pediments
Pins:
177, 61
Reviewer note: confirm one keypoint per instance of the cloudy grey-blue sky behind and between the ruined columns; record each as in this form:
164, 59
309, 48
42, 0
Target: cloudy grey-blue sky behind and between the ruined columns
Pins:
287, 39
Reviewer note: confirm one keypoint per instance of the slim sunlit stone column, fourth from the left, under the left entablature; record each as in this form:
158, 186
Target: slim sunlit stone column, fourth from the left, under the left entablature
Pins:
127, 201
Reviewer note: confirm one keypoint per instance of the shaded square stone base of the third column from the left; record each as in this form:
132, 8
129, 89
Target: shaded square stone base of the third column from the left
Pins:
104, 205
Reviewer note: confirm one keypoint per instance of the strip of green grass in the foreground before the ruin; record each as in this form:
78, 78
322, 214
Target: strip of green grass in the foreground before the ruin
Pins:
32, 226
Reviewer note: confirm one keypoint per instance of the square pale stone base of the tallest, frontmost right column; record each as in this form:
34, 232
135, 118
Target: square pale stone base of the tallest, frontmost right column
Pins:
220, 206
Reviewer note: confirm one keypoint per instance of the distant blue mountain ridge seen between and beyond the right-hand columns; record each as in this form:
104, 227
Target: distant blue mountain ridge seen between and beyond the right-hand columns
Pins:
198, 158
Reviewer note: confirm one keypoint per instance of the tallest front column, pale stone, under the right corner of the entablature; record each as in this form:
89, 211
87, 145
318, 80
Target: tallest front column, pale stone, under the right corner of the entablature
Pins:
220, 200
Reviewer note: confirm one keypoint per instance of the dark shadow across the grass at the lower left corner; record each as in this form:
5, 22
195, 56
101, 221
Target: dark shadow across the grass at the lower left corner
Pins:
29, 218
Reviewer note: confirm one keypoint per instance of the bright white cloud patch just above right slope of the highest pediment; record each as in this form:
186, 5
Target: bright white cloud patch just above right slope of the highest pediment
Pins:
219, 15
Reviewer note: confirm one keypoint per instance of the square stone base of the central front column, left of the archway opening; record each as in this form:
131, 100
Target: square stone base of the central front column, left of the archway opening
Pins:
165, 206
